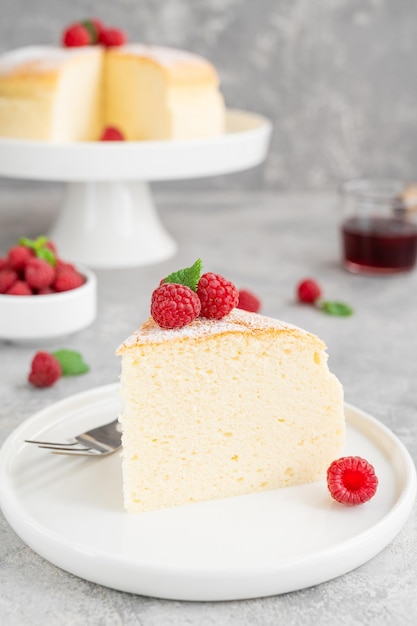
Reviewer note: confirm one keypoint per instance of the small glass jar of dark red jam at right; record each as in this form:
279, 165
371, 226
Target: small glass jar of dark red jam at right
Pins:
379, 229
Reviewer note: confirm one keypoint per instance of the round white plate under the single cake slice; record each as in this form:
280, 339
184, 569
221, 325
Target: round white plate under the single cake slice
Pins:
69, 510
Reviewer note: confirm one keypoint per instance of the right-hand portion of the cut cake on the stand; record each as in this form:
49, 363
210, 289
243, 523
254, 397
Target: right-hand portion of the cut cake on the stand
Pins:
156, 93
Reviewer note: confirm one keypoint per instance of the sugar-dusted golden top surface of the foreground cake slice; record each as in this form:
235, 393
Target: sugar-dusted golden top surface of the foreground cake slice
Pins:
238, 321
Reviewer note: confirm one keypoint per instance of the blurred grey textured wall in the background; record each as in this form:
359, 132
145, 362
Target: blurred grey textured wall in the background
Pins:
336, 77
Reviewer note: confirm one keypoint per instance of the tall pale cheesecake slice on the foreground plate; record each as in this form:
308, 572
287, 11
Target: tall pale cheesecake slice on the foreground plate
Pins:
222, 408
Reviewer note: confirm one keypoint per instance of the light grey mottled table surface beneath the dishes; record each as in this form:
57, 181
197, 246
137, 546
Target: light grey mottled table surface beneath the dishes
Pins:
266, 243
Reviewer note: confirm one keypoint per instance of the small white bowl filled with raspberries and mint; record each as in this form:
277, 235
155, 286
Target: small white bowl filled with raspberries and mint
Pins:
41, 295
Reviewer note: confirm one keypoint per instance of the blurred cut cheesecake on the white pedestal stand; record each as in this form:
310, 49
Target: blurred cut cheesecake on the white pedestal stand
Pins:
71, 94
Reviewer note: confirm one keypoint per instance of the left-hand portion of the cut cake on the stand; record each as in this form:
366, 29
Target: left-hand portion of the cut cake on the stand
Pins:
51, 94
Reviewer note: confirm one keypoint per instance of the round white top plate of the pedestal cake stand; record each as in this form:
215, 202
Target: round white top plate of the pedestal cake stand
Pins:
242, 146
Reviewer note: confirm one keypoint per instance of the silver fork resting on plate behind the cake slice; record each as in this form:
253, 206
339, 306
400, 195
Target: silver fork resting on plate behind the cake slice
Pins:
99, 441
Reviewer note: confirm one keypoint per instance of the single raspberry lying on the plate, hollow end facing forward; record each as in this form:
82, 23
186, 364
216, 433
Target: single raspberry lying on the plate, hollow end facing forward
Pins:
351, 480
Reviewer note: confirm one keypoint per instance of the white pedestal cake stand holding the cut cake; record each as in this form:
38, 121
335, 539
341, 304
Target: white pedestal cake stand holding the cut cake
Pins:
108, 218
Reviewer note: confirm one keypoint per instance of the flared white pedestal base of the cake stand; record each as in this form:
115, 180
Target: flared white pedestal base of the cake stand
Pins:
110, 225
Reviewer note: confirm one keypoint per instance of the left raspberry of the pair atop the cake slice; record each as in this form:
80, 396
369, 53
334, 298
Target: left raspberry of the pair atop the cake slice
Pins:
174, 305
